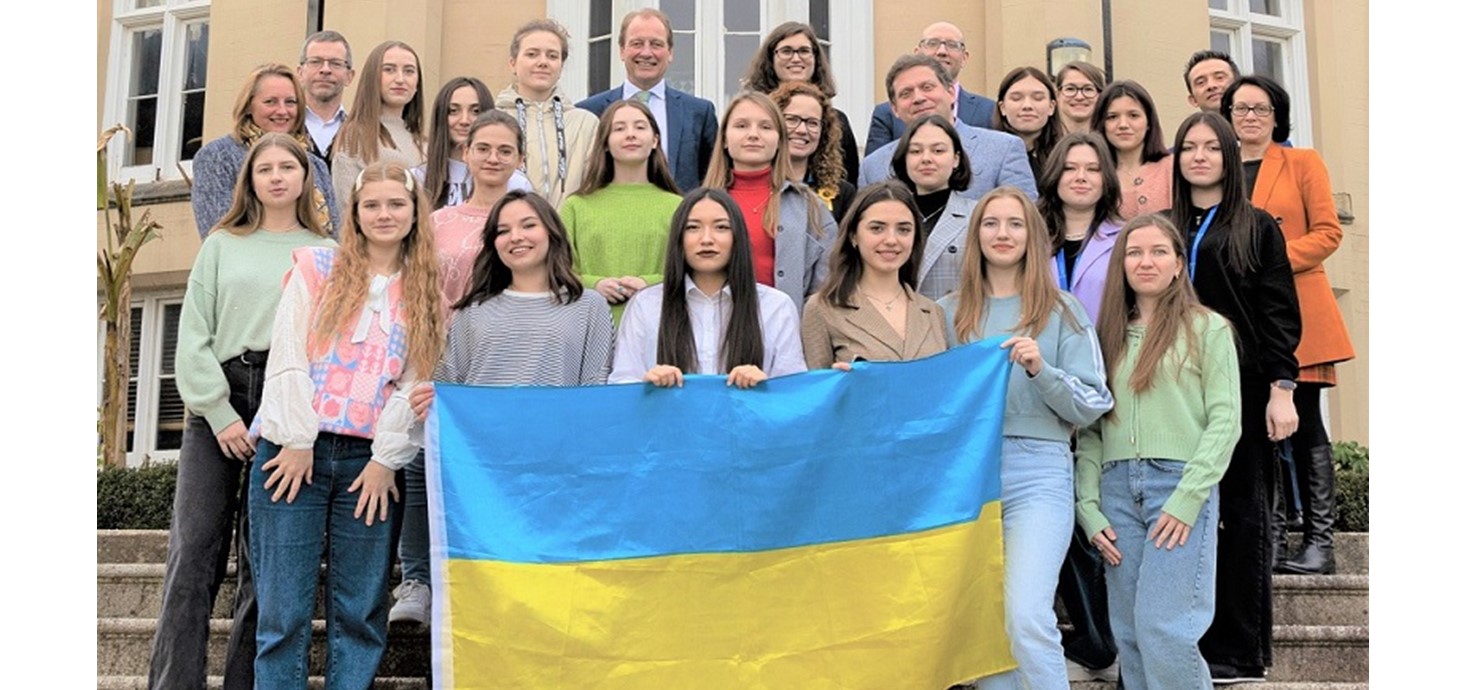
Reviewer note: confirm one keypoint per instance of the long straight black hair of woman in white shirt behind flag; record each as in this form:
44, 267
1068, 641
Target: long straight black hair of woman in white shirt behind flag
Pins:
744, 344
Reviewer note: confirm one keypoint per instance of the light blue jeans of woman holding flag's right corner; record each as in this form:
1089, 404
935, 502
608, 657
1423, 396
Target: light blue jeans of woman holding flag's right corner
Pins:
1039, 516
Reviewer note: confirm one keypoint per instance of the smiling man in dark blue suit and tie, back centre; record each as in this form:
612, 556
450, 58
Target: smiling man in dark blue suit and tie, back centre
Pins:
687, 123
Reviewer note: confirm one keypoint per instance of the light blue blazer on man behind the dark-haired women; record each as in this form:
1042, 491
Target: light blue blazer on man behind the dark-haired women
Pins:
998, 160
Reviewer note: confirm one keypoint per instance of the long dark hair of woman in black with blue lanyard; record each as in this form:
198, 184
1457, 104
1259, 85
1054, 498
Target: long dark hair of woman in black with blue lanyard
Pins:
1236, 212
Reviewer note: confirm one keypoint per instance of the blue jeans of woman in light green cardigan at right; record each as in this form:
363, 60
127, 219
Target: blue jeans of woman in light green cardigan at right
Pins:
1161, 600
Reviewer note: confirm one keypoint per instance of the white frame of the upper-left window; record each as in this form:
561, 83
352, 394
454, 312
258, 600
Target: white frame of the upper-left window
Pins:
173, 18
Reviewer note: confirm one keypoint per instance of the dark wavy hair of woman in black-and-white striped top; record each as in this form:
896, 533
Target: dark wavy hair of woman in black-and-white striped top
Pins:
491, 276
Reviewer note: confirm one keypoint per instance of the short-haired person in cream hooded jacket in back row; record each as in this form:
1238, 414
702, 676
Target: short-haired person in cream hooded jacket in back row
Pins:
560, 135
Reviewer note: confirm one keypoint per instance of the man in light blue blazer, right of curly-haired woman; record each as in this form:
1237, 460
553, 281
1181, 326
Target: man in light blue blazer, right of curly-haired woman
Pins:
918, 85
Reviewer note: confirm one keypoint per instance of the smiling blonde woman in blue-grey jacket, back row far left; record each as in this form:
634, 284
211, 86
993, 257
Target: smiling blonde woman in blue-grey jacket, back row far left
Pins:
271, 101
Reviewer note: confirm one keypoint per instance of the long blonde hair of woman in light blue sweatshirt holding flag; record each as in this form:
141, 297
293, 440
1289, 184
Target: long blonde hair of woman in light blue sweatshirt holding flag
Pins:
1039, 297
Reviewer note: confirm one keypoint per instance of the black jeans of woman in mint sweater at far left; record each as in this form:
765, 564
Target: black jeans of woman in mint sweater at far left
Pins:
212, 491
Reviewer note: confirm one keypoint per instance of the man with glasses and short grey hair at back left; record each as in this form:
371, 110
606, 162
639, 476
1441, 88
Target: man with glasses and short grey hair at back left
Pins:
325, 71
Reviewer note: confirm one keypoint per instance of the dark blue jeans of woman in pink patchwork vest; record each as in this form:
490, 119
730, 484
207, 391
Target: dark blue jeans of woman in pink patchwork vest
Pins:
287, 545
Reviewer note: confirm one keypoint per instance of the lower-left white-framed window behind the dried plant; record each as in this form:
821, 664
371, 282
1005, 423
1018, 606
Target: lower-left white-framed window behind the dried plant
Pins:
155, 412
